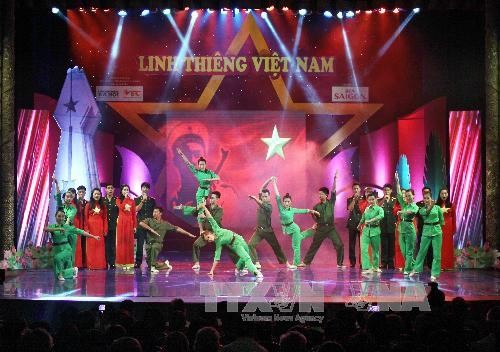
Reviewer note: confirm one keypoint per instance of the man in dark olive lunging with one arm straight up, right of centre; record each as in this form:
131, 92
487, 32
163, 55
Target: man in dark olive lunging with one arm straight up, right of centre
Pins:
325, 226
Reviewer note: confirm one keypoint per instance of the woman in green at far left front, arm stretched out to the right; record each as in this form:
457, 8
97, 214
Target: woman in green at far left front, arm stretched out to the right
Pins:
63, 253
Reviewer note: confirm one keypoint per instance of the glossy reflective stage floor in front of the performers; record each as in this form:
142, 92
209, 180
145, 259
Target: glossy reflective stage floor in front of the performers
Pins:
317, 282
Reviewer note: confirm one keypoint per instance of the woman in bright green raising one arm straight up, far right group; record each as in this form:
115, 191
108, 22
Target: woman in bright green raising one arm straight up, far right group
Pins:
406, 228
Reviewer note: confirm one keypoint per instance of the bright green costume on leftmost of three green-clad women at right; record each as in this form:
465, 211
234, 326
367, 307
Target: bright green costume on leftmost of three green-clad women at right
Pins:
371, 236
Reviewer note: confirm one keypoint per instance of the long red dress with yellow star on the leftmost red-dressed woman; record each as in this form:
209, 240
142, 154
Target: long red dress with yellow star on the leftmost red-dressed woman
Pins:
96, 223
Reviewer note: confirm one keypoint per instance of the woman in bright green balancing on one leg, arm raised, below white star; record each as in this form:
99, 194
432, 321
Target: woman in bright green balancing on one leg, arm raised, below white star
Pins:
289, 226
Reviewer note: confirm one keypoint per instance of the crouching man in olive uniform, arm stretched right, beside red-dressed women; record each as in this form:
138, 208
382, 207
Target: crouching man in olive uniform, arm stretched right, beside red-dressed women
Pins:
157, 228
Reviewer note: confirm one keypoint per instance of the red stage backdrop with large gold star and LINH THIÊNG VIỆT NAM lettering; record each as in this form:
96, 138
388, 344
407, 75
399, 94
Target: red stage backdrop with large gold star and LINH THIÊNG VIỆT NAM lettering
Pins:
285, 95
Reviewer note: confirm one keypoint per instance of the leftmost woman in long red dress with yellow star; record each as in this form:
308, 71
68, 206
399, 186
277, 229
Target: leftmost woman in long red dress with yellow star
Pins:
96, 221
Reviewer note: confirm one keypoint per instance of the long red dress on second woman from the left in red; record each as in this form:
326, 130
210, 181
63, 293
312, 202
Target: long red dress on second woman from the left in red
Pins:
127, 222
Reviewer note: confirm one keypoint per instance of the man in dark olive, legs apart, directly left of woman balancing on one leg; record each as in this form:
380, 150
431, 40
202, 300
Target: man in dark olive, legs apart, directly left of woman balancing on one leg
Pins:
264, 230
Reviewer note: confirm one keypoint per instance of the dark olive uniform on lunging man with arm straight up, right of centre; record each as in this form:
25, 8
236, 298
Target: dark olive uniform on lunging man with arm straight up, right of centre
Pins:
325, 229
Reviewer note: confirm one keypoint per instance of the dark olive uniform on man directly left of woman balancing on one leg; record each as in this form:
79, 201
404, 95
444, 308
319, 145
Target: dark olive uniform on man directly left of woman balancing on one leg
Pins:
264, 231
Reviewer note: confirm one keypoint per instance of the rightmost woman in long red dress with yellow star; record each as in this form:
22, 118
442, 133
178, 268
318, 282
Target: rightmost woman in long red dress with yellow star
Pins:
449, 228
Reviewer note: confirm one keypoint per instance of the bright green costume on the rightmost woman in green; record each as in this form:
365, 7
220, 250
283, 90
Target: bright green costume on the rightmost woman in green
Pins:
431, 233
